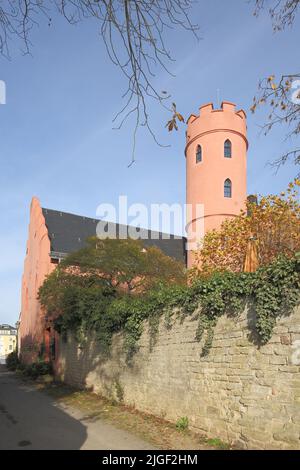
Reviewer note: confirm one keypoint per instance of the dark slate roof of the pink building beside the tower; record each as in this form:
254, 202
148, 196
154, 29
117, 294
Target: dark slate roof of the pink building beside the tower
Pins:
69, 232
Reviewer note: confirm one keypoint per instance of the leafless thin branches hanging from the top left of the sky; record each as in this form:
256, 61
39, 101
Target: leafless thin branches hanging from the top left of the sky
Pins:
133, 32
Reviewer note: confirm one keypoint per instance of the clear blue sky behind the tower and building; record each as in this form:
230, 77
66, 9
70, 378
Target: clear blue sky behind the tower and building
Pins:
56, 136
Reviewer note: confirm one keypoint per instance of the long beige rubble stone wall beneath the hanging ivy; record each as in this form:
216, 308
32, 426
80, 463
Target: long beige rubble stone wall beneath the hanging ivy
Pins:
242, 393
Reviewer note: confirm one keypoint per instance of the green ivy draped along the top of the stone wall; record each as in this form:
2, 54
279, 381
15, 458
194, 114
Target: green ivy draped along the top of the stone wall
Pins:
273, 290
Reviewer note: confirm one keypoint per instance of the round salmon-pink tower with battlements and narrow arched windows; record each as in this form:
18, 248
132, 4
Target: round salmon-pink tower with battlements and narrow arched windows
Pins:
216, 154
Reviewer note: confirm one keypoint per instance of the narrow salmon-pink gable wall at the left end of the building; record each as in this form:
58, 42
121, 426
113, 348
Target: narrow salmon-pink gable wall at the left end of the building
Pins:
36, 266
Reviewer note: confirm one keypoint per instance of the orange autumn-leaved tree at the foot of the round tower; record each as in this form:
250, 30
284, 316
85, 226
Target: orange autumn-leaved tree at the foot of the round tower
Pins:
274, 222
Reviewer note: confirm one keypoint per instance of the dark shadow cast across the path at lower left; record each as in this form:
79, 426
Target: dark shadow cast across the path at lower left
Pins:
32, 420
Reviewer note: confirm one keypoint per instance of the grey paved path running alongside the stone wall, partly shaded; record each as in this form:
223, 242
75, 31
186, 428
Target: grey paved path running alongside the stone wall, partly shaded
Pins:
30, 419
